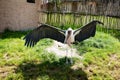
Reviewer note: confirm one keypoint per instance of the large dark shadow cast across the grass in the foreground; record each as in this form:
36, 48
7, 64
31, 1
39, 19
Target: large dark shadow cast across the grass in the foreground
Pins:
57, 70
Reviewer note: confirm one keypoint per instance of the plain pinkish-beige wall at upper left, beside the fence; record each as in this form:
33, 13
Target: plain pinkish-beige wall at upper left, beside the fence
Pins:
18, 14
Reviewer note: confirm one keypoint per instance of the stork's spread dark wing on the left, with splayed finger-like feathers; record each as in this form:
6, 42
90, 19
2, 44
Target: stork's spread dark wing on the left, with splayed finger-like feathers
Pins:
44, 31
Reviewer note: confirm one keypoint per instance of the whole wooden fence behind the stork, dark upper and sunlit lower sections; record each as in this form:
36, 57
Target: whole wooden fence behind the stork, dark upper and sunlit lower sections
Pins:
108, 13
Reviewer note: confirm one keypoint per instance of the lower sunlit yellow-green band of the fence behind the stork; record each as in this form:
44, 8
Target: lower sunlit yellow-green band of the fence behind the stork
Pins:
71, 19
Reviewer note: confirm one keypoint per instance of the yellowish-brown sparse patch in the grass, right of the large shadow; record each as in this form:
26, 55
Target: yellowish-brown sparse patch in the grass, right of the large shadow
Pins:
112, 67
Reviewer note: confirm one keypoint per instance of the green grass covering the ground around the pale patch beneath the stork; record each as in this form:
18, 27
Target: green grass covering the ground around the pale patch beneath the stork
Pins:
101, 59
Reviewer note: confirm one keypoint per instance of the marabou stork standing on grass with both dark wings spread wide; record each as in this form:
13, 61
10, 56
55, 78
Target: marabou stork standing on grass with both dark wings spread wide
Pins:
68, 36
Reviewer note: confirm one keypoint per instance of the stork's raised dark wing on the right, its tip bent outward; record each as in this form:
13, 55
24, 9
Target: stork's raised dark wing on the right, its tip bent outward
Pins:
86, 31
